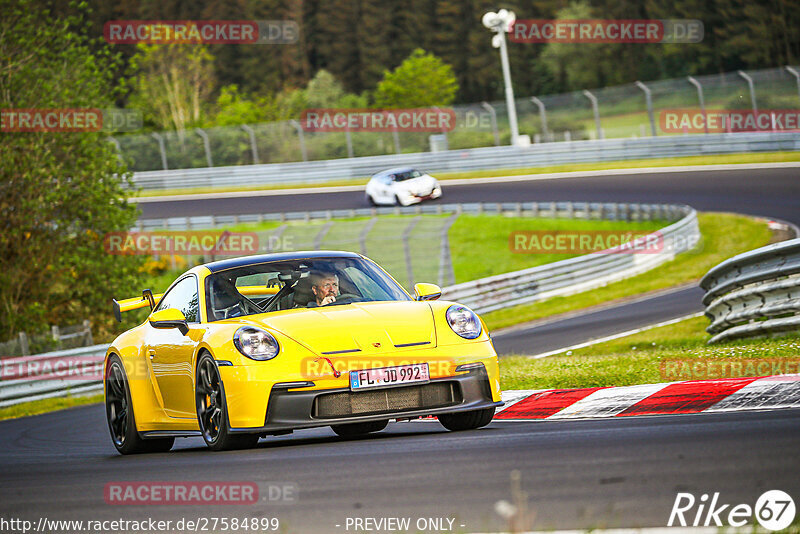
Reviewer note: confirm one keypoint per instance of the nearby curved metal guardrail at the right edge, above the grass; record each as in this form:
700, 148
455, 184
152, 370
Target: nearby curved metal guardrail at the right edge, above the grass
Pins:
754, 294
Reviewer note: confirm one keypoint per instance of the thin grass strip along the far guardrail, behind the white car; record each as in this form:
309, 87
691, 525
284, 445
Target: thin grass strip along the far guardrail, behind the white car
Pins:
762, 157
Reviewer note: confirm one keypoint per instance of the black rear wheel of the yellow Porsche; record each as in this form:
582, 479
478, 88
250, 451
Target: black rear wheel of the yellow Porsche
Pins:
120, 417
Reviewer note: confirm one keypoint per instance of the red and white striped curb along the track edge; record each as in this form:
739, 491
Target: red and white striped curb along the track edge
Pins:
695, 396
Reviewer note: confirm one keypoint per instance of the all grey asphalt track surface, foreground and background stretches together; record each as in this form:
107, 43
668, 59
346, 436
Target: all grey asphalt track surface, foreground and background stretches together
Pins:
616, 472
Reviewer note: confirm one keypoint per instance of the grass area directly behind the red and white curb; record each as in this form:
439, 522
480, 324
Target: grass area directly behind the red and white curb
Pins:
652, 356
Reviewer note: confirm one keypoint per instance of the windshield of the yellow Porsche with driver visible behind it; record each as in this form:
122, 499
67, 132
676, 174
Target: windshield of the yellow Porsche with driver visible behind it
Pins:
301, 283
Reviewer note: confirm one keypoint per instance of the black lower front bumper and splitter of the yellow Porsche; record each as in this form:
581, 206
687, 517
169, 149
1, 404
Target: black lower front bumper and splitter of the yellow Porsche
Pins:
290, 409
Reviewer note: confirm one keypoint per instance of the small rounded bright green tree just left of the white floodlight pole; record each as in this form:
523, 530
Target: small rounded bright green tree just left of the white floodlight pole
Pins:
422, 80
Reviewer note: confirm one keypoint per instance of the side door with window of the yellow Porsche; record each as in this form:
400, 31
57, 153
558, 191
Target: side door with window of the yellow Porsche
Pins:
170, 352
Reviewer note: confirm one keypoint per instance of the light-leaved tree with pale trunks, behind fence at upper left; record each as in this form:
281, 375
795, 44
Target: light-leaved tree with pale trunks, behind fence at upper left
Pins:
174, 83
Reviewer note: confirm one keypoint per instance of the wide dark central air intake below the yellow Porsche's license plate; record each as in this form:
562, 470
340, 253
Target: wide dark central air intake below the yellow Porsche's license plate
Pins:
404, 398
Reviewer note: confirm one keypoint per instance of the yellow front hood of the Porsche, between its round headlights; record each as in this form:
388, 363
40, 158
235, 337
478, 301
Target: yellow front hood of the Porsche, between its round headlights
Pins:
358, 326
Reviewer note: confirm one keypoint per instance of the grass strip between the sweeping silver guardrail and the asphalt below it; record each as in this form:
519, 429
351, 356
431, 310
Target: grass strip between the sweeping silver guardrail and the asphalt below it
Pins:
724, 235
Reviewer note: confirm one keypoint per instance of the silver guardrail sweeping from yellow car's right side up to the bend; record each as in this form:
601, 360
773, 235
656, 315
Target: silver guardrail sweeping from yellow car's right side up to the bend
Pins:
575, 274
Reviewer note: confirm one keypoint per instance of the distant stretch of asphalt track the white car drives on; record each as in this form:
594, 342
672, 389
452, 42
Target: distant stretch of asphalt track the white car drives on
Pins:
772, 192
